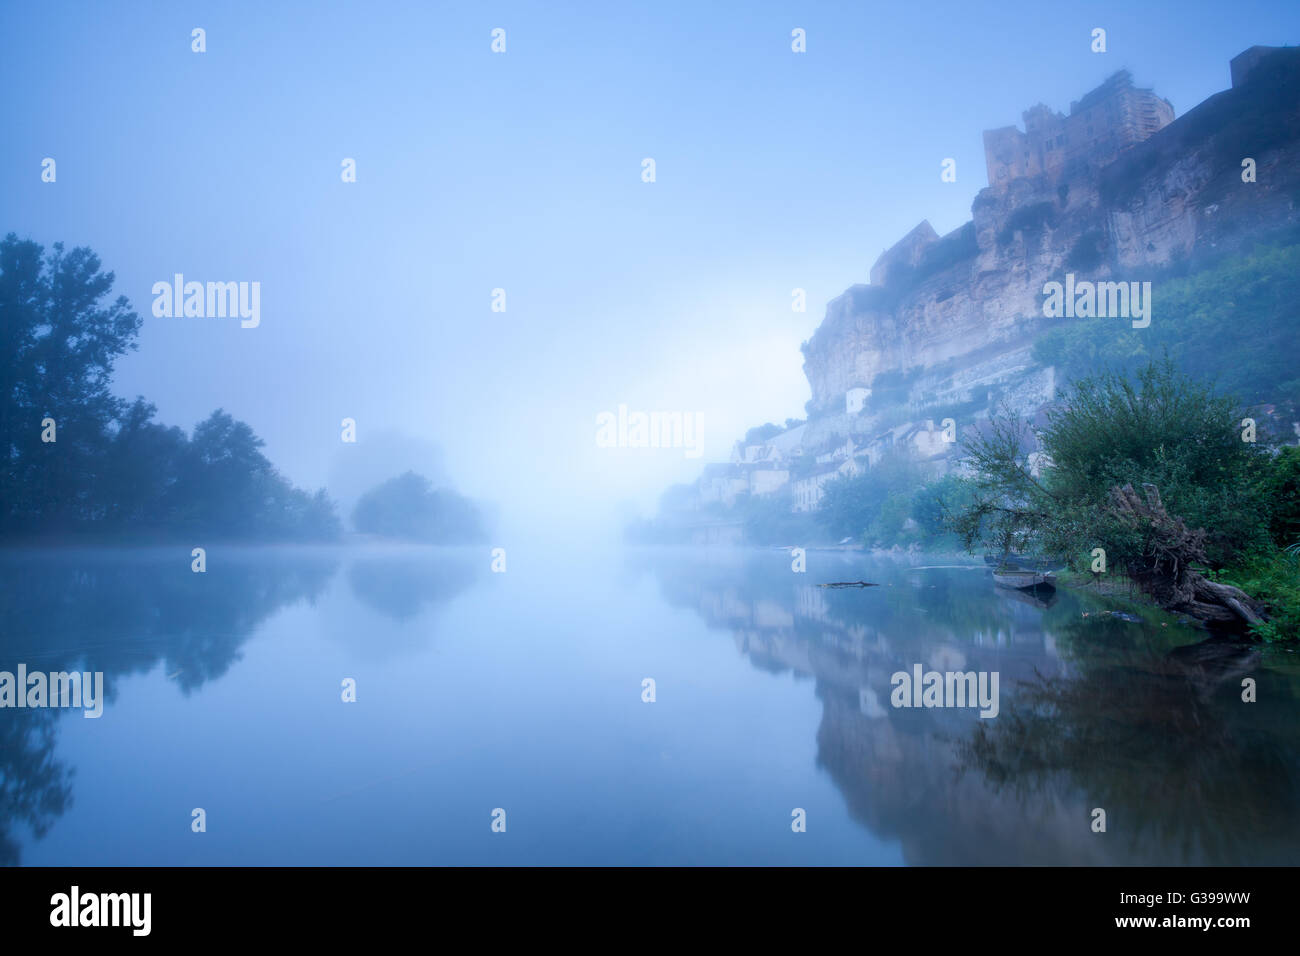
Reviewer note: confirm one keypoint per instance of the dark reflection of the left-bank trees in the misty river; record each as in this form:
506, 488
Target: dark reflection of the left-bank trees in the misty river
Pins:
129, 612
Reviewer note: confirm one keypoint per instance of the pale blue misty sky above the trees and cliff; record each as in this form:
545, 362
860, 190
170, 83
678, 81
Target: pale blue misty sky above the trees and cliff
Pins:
523, 171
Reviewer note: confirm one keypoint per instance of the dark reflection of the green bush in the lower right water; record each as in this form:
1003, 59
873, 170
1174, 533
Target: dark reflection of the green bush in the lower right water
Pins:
1185, 768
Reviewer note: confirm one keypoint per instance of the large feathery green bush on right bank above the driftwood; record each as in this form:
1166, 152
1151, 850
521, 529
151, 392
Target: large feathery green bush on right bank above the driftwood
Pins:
1110, 431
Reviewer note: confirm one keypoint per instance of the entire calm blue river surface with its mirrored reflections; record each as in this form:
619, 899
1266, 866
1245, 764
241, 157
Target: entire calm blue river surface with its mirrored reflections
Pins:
523, 691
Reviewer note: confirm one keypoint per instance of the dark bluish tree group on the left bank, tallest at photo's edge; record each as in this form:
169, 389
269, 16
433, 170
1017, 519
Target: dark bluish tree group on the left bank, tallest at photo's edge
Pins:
111, 468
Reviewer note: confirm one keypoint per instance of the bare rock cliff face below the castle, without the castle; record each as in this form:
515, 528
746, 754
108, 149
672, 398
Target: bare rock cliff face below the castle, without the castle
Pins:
950, 323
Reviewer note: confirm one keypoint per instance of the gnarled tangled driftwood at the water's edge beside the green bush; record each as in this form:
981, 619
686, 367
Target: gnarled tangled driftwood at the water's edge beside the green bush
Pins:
1168, 572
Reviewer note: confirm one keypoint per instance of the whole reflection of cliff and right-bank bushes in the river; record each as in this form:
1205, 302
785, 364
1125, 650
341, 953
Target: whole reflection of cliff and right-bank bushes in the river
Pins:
1146, 723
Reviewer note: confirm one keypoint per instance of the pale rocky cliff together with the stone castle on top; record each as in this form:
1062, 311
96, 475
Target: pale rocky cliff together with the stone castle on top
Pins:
946, 331
